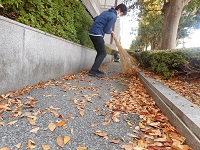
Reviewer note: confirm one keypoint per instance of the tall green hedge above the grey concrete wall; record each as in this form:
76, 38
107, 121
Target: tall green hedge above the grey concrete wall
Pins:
67, 19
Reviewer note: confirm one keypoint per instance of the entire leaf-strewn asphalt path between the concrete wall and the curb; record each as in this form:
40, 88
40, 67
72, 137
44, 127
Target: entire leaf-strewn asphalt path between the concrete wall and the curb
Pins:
79, 112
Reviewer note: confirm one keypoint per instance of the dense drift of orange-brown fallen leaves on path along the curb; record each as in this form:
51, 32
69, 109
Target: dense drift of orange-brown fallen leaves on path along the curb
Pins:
156, 130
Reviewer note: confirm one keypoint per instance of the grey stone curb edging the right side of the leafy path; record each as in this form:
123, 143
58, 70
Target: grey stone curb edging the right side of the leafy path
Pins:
182, 114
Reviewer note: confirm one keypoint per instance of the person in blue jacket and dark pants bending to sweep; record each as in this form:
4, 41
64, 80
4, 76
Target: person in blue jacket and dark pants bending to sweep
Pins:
103, 25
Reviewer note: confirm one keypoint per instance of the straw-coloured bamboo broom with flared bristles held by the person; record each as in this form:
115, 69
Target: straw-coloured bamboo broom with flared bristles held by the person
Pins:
128, 63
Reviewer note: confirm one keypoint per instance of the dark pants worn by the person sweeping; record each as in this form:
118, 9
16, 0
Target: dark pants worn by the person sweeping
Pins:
99, 46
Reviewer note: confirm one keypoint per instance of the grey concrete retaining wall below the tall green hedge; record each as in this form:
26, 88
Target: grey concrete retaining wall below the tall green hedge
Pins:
28, 56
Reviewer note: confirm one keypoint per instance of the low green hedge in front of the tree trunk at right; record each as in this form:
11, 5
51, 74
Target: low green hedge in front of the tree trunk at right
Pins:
170, 62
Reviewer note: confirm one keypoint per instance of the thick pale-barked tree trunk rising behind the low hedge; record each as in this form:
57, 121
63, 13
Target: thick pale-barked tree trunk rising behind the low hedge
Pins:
172, 13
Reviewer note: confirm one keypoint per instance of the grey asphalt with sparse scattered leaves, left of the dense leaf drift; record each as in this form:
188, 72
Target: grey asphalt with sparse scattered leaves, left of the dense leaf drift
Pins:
80, 99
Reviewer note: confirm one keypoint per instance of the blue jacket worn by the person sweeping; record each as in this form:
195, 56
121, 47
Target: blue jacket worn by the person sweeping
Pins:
103, 23
